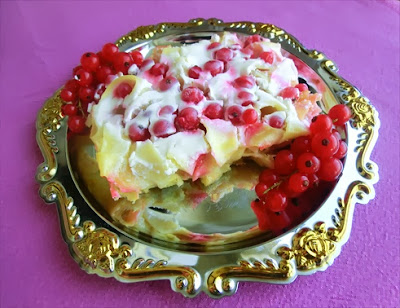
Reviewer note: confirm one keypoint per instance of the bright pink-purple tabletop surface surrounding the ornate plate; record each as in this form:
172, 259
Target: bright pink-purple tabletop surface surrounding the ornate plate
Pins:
40, 43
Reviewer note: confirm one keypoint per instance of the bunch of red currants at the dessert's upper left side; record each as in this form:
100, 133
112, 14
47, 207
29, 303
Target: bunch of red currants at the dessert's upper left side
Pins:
90, 79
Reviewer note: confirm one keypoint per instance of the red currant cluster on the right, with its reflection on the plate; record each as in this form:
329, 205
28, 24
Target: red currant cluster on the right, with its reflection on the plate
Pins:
309, 160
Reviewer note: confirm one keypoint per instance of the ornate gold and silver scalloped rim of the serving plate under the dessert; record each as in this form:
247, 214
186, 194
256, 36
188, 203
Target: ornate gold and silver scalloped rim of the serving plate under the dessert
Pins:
102, 246
